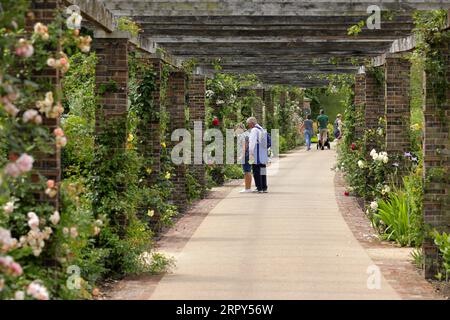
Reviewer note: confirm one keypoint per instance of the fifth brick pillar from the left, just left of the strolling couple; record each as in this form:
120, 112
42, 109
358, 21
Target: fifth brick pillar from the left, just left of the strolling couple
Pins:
196, 93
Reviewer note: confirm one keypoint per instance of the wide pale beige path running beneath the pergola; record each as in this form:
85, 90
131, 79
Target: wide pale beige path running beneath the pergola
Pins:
291, 243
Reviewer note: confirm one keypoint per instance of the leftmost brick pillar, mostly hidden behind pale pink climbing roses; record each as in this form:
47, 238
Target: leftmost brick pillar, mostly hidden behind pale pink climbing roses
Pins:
46, 164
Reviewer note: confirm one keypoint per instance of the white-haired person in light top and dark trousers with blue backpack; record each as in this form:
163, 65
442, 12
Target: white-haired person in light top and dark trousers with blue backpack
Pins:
258, 154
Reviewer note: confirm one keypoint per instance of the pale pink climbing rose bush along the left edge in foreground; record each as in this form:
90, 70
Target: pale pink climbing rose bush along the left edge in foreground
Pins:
26, 225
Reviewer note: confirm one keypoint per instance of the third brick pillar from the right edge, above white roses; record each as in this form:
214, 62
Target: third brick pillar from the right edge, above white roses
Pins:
374, 105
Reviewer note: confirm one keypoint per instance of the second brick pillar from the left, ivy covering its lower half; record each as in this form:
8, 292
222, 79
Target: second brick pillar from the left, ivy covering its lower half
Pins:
111, 116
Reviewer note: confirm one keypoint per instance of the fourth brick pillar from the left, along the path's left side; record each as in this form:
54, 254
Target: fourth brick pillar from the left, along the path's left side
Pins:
176, 95
